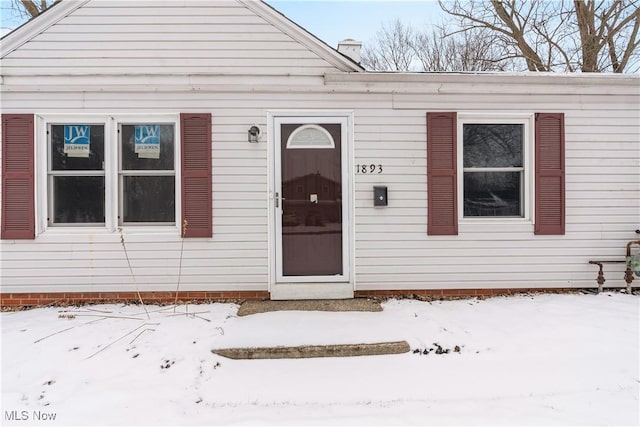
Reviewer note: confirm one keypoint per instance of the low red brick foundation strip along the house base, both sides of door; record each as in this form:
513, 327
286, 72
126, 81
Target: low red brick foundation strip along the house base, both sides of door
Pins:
17, 300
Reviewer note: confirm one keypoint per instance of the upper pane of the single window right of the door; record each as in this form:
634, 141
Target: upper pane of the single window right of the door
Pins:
493, 145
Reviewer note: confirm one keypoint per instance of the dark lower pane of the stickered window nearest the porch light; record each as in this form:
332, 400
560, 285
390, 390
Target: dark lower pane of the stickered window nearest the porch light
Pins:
149, 199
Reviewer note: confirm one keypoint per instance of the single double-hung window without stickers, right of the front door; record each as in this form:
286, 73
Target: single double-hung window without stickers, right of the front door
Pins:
495, 178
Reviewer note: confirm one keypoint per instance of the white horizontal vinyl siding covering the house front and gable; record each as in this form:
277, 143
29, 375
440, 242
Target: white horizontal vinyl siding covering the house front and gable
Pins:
248, 69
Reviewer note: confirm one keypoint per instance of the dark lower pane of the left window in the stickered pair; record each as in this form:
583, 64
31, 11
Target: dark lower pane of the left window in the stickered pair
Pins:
78, 199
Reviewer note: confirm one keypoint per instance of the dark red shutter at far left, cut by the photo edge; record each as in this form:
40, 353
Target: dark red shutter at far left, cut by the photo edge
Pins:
18, 206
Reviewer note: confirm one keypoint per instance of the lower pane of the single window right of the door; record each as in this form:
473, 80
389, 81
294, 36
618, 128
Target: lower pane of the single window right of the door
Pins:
492, 194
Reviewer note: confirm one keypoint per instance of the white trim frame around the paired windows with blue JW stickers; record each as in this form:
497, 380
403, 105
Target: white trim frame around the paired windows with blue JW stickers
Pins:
111, 167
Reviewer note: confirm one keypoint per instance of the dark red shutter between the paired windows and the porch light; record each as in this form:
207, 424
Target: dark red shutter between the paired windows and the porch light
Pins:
195, 131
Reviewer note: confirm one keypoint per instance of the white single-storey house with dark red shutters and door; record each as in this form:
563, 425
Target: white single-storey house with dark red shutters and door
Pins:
218, 150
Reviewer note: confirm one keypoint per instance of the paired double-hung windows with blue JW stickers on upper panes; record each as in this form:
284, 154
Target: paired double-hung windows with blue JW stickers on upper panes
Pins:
108, 173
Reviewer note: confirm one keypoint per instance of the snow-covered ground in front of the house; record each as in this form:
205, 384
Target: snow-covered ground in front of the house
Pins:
525, 360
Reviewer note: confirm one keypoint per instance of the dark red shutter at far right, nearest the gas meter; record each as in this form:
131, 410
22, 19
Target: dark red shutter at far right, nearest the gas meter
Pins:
550, 171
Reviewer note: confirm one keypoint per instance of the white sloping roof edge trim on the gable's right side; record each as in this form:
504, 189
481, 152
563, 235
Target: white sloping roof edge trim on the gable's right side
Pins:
302, 35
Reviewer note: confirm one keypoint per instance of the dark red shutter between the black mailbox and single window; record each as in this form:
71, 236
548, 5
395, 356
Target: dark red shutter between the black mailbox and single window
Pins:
442, 184
